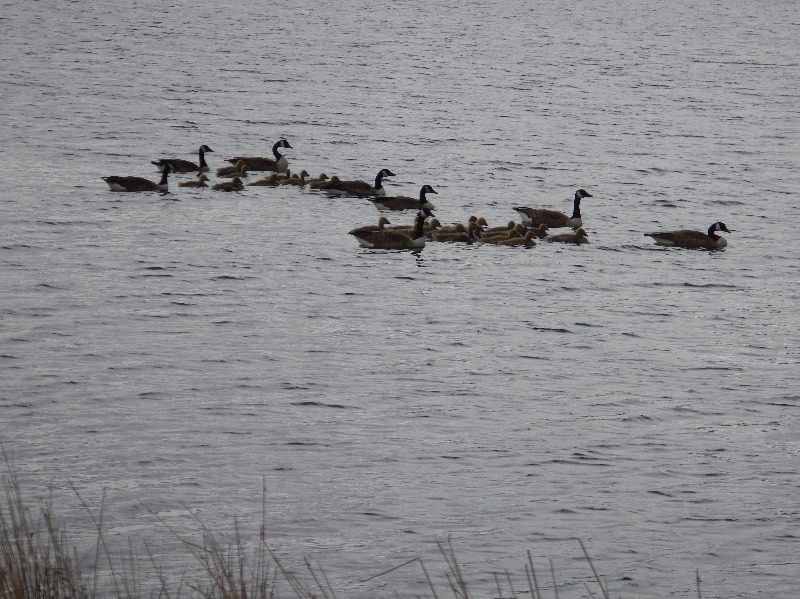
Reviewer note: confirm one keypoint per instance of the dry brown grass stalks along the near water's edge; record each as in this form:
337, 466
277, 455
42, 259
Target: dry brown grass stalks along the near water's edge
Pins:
36, 561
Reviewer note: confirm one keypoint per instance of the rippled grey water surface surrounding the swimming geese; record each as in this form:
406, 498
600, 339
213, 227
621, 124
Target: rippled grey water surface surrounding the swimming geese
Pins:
172, 350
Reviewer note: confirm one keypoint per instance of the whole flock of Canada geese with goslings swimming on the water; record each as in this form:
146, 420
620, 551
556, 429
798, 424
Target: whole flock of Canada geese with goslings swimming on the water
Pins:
535, 222
